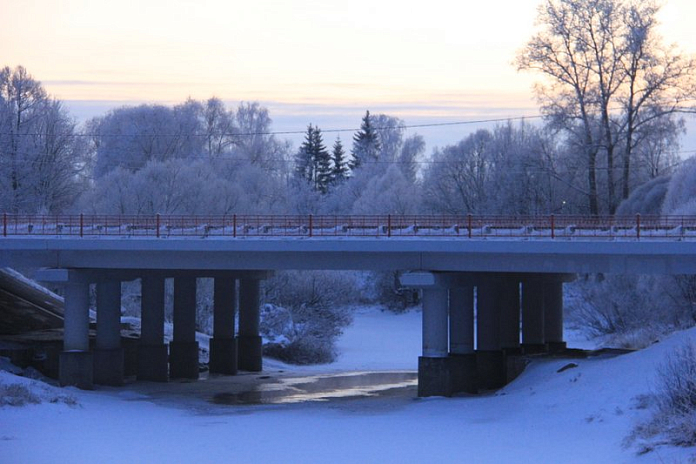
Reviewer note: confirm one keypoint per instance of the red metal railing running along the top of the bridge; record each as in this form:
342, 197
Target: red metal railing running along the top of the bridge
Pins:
237, 226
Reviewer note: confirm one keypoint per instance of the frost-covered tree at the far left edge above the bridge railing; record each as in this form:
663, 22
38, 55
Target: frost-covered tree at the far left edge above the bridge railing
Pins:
42, 158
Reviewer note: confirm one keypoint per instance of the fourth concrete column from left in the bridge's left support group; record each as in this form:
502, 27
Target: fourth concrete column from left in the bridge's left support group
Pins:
183, 350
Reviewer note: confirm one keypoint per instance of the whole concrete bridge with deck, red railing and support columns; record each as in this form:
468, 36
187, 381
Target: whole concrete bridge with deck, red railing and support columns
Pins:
492, 286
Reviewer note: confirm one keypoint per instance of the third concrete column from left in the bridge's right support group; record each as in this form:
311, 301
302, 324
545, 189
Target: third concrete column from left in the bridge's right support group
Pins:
490, 358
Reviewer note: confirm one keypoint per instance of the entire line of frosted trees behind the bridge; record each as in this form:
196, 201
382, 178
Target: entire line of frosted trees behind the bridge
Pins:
611, 92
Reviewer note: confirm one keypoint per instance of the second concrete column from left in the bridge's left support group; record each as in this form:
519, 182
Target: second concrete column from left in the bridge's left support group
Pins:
108, 355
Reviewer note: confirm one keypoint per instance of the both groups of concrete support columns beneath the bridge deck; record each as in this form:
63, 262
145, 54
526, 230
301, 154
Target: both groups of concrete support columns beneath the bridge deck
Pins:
476, 326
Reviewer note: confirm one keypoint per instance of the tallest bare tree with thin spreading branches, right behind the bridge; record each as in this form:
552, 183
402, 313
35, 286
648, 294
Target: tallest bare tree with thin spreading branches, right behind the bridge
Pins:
610, 86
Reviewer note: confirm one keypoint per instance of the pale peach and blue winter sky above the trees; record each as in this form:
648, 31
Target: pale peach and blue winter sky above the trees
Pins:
319, 61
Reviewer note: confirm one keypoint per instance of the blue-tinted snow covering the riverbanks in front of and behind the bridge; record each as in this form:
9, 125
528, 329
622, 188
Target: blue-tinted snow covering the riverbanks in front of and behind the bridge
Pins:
581, 414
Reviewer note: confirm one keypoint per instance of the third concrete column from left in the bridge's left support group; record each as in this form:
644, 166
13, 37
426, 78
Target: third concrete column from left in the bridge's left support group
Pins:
152, 351
